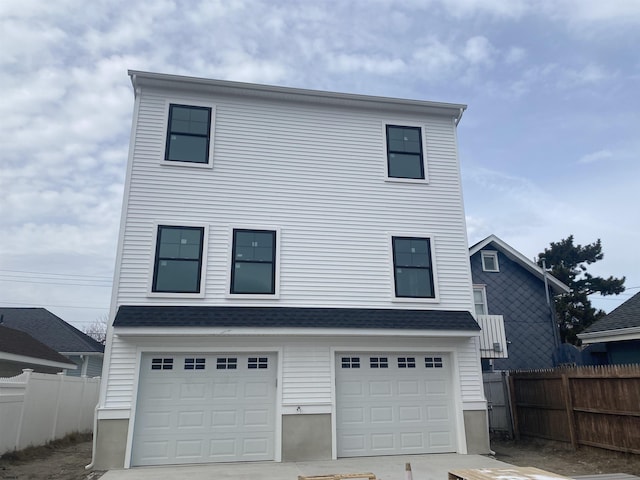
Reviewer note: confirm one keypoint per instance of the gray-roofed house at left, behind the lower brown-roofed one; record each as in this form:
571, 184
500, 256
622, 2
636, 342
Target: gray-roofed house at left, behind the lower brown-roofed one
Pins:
44, 326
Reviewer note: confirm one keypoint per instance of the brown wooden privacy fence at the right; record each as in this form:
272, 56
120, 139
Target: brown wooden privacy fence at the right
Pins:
596, 406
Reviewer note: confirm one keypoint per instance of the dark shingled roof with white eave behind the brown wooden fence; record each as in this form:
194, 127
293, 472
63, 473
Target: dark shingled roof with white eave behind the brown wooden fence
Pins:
623, 323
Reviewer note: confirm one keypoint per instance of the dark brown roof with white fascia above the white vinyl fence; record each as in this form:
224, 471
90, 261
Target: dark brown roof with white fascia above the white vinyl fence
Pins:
17, 346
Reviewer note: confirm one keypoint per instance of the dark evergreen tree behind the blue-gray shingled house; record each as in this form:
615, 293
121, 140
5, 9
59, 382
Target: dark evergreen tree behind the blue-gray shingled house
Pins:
568, 263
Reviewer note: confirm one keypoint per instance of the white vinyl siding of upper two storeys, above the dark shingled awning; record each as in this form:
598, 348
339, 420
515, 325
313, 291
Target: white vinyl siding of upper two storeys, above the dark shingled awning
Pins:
325, 192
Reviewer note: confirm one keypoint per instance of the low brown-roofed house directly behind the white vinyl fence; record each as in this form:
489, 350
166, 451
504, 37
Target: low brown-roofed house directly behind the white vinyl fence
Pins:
19, 350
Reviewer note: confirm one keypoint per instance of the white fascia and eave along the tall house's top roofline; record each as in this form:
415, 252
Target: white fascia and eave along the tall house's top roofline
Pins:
173, 82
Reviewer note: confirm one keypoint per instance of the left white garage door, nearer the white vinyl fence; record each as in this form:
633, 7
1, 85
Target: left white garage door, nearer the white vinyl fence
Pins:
197, 408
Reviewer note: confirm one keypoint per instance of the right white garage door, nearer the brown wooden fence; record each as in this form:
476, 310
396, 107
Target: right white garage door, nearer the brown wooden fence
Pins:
390, 404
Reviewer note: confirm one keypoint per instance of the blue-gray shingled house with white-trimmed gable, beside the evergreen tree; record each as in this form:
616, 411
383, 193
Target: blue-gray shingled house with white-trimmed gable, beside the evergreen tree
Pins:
509, 285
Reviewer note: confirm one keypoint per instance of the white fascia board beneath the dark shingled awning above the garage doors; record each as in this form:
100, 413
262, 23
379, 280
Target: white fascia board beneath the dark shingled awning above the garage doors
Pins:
289, 332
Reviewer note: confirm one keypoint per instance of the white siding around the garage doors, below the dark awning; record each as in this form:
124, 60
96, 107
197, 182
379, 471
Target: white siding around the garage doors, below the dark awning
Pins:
306, 364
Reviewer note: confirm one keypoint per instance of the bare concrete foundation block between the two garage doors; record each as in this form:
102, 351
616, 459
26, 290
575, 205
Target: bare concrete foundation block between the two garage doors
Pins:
306, 437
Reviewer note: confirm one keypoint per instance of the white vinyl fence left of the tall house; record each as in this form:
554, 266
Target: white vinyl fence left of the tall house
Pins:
38, 407
